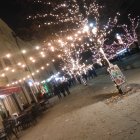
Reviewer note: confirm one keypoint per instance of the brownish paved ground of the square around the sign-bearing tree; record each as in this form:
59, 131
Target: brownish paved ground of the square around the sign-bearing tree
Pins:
85, 115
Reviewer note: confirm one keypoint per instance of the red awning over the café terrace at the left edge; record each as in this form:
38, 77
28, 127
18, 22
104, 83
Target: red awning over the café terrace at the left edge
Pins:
9, 90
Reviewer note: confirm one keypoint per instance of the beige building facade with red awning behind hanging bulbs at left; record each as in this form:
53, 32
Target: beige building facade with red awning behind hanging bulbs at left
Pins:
16, 71
